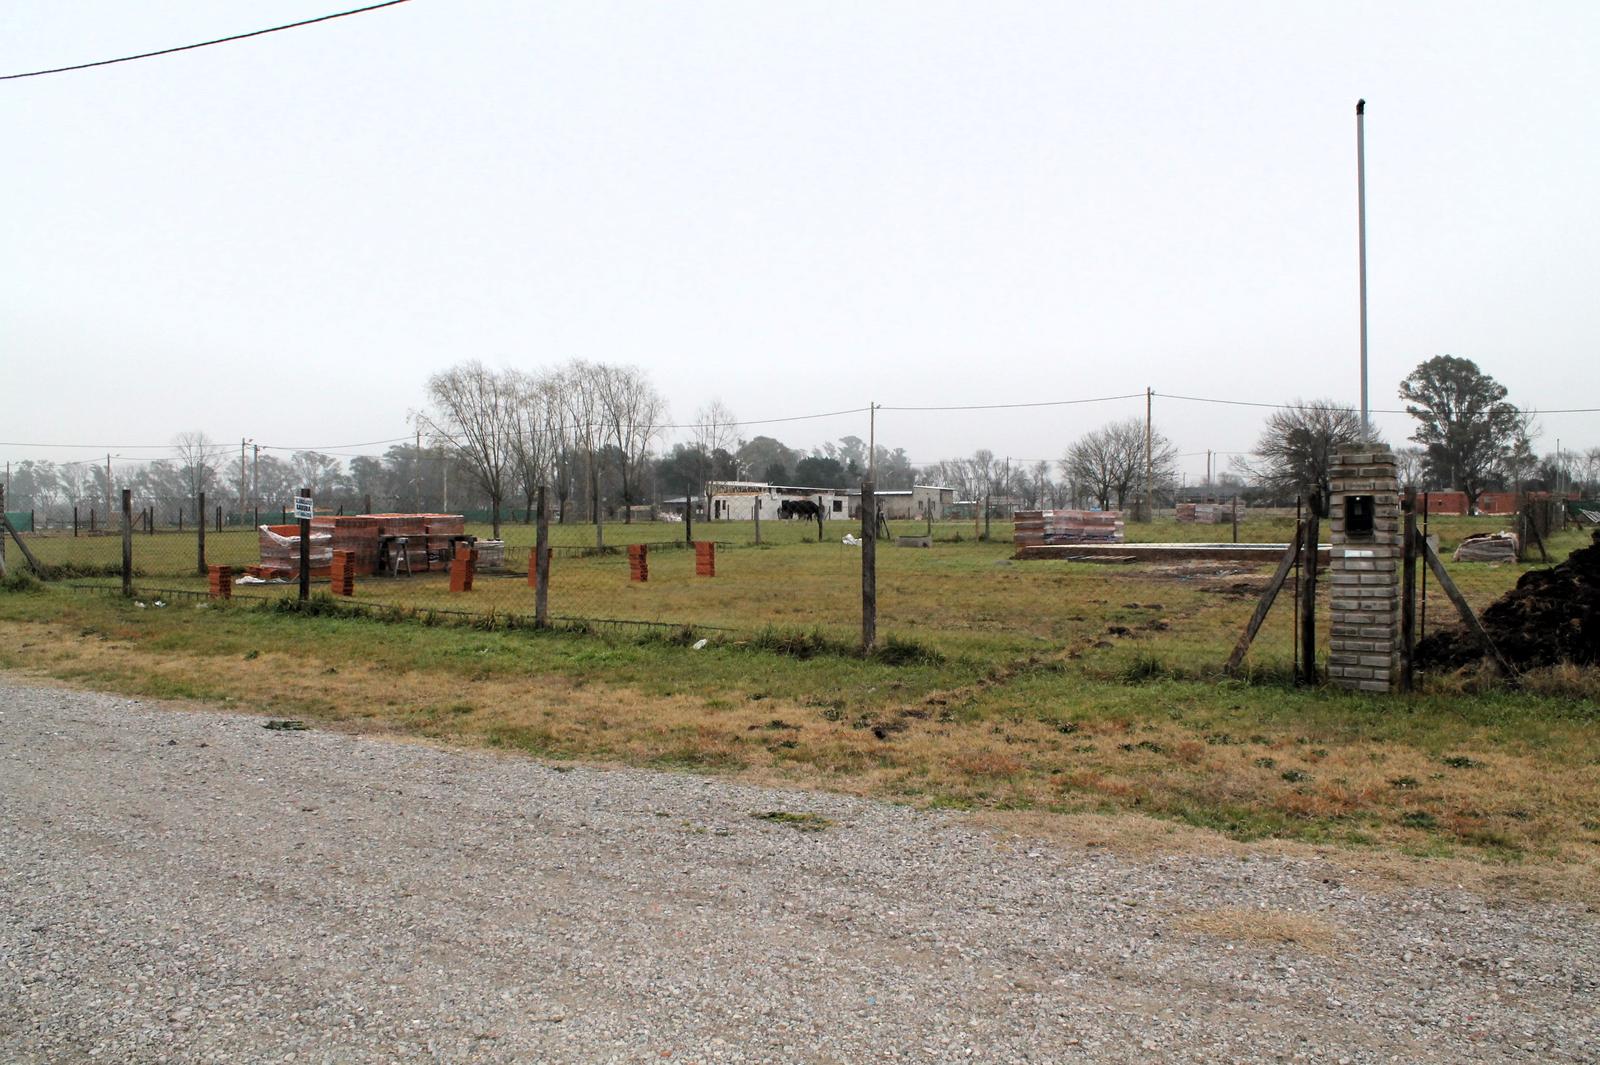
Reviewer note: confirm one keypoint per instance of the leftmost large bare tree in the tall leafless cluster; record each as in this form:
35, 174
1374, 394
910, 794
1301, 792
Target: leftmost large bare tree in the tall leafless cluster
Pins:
474, 417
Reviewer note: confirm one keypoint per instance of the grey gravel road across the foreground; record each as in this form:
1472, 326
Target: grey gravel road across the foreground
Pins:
190, 887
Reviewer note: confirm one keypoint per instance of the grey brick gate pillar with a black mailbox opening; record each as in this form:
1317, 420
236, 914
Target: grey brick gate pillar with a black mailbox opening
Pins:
1366, 572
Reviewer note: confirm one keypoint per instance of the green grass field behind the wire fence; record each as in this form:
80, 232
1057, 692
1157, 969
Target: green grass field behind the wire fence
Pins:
962, 597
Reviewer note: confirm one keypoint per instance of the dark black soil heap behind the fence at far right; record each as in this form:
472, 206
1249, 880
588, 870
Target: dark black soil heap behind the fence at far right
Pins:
1551, 616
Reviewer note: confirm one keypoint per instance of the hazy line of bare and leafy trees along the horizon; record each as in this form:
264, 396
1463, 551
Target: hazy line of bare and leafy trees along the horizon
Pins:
594, 434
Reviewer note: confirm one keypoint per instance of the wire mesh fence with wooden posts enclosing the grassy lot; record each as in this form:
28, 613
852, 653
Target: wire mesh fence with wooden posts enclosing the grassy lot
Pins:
940, 588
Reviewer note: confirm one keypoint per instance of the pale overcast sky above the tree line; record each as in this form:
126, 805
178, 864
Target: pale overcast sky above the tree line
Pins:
793, 207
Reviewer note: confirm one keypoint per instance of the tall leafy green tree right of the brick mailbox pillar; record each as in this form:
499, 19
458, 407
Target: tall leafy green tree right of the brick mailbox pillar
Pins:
1468, 431
